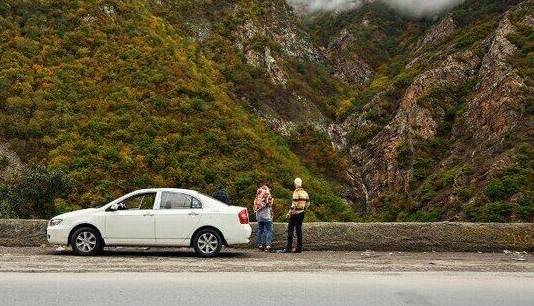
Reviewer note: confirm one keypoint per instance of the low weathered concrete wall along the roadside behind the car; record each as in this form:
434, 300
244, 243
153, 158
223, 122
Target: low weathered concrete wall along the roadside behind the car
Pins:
442, 236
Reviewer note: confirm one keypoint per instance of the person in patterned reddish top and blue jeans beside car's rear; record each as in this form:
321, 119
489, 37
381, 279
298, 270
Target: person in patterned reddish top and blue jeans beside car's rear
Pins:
263, 207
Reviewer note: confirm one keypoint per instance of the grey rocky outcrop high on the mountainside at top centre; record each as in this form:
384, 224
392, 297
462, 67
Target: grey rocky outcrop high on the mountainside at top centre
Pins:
275, 43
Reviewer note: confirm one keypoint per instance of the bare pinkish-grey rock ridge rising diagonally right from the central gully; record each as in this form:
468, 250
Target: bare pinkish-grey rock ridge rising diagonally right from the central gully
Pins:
375, 167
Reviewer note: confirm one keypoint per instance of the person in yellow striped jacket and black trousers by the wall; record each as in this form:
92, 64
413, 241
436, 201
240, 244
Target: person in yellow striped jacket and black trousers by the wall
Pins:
301, 201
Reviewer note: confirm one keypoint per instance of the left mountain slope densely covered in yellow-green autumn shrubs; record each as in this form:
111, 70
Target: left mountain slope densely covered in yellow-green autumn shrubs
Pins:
120, 99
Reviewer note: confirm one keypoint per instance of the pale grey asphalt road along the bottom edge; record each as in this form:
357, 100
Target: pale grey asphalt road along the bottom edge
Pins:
282, 288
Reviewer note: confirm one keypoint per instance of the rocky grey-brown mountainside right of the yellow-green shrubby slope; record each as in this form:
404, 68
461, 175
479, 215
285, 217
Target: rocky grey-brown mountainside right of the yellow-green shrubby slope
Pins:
430, 106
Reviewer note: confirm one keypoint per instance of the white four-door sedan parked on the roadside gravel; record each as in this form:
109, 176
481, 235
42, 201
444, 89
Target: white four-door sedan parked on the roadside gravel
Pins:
153, 217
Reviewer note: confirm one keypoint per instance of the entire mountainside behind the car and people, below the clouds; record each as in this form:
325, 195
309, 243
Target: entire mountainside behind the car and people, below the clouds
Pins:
405, 119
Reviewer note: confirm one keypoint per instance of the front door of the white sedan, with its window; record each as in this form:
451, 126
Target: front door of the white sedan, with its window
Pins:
133, 222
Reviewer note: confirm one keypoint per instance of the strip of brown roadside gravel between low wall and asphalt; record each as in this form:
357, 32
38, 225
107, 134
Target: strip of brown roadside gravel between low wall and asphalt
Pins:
51, 259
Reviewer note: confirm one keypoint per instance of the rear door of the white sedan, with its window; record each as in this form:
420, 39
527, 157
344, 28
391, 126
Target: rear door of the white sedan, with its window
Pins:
176, 218
